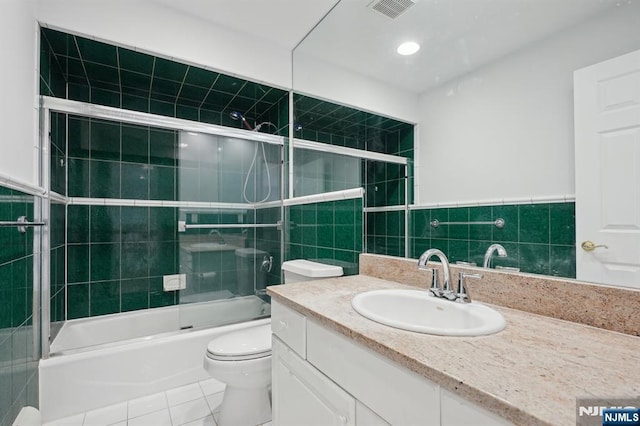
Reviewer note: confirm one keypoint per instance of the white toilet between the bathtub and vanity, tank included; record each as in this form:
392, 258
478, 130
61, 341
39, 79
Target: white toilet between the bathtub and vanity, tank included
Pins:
242, 359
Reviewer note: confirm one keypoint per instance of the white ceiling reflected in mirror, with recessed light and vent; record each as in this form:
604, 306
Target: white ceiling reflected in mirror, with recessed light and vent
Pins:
456, 36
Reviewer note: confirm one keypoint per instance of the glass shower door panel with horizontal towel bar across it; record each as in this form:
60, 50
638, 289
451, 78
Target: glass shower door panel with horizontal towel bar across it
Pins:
229, 244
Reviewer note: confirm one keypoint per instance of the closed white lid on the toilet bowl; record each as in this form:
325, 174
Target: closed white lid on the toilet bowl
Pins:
248, 343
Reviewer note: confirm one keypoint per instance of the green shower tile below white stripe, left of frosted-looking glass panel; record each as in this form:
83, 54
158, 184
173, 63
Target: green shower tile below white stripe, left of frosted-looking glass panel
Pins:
117, 257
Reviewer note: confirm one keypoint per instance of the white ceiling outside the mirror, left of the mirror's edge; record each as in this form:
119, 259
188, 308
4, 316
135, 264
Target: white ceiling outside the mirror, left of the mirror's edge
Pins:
284, 22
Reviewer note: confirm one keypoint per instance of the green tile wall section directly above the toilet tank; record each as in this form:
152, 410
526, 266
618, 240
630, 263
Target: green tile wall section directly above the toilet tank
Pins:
328, 230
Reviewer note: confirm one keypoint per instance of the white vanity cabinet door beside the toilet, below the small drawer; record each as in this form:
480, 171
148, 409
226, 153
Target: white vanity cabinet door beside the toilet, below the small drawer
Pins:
304, 396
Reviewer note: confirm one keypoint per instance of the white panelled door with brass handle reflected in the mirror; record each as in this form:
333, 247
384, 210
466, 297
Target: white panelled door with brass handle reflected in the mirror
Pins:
607, 152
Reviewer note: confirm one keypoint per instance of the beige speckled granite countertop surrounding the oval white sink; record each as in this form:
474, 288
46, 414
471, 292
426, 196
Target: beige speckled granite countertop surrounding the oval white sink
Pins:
530, 373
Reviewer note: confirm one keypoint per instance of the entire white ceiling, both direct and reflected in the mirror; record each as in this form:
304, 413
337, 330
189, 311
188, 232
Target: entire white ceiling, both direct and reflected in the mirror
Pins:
457, 36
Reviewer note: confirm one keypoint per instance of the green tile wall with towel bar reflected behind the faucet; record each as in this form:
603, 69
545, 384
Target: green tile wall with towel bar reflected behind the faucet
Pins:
539, 238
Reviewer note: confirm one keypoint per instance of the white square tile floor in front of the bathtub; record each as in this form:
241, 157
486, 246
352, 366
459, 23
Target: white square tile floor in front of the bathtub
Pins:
197, 404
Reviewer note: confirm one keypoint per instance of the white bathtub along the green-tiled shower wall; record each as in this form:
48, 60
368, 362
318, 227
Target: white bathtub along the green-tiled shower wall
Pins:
101, 361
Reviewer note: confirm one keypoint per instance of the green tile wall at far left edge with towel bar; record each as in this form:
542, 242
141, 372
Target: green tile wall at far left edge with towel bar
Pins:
18, 367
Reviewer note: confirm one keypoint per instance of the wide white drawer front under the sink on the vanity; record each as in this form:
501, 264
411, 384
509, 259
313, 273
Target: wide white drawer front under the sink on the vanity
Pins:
411, 400
